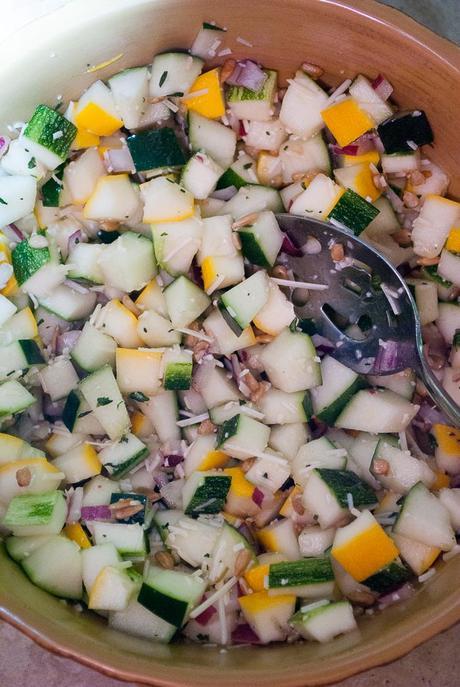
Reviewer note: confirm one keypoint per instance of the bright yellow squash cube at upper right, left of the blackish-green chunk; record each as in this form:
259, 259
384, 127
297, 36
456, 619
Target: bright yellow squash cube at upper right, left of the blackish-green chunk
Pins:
347, 121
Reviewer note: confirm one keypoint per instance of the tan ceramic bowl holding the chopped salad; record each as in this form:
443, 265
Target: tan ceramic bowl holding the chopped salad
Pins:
345, 38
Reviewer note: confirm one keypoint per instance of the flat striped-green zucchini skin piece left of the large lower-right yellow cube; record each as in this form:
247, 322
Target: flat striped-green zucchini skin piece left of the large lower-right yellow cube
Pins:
309, 578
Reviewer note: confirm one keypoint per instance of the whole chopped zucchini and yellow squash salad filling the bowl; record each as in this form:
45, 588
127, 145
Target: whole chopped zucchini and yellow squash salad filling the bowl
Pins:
178, 450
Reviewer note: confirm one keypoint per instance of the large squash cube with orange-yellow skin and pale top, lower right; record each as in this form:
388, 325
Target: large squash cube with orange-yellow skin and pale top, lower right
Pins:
368, 551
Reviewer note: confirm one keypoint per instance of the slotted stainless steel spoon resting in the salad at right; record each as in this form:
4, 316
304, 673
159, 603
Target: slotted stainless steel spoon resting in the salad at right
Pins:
363, 289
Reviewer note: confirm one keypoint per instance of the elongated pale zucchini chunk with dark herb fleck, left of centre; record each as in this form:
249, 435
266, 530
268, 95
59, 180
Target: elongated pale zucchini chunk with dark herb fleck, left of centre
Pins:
101, 391
